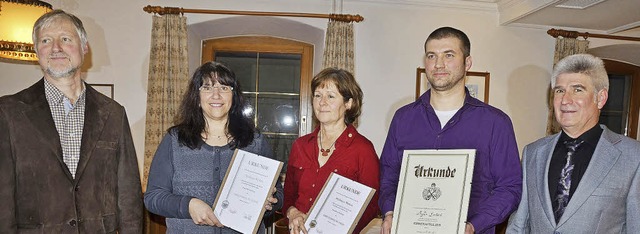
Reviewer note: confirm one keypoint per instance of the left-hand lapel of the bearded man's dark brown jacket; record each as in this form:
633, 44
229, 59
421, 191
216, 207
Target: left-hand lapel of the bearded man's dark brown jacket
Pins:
40, 116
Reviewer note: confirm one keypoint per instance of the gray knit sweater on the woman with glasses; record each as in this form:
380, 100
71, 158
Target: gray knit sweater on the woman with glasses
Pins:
179, 173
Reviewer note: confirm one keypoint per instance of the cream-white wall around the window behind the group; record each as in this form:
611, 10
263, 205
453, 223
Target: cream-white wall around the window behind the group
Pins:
389, 46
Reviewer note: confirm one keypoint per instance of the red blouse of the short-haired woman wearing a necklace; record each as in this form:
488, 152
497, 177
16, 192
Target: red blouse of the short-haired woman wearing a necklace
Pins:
353, 157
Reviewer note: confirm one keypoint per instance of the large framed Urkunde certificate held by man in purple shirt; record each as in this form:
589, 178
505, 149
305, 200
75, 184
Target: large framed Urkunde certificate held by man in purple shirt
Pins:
433, 191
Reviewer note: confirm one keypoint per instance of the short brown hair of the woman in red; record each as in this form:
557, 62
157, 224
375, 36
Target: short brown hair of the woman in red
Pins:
346, 85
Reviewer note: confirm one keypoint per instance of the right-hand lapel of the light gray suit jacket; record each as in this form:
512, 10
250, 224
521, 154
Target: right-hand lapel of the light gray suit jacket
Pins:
604, 158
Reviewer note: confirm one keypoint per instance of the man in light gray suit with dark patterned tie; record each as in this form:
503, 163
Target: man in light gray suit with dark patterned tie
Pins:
593, 184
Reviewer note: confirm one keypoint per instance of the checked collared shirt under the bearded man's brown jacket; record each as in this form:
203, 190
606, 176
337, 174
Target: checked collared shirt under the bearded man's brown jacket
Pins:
69, 120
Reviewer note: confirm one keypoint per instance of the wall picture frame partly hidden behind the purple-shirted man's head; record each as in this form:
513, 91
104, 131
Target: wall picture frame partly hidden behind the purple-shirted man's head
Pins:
476, 82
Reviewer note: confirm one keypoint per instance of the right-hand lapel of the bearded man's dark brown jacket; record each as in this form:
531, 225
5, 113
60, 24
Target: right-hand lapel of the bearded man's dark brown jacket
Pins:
95, 117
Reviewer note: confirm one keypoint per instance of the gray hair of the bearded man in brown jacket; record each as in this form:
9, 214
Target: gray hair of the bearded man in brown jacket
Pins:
47, 19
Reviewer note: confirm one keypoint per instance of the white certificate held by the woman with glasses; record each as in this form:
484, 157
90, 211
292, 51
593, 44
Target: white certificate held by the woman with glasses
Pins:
244, 191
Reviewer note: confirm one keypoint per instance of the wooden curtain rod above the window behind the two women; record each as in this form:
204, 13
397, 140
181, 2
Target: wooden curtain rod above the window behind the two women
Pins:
178, 10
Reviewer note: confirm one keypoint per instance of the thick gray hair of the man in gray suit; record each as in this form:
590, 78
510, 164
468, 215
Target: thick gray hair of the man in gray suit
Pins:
585, 64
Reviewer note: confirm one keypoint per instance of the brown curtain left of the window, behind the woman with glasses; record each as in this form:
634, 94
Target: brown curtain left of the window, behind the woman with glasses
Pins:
168, 79
